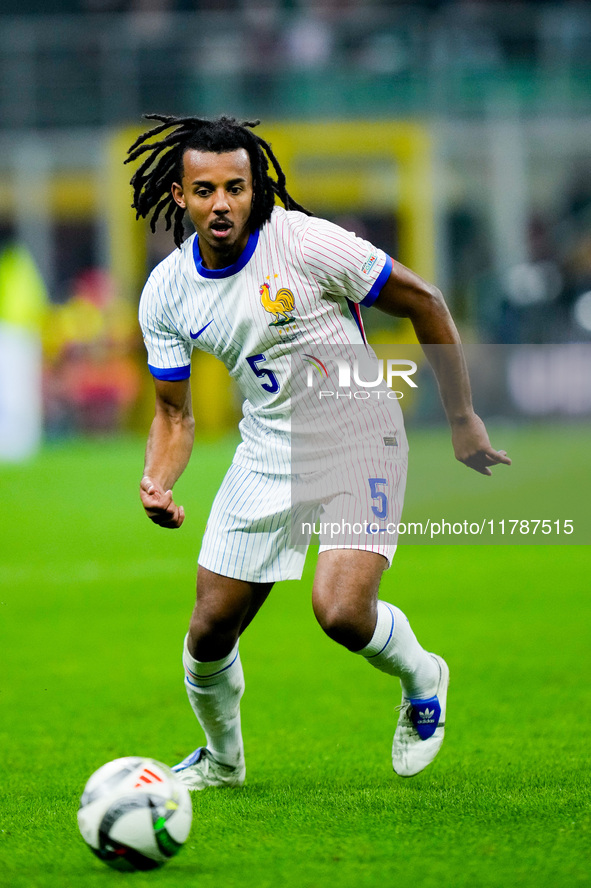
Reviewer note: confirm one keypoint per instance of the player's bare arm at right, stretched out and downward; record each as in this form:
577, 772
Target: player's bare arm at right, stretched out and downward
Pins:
406, 295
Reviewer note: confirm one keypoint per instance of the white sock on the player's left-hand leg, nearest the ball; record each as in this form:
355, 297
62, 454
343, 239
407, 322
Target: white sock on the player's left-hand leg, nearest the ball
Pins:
214, 691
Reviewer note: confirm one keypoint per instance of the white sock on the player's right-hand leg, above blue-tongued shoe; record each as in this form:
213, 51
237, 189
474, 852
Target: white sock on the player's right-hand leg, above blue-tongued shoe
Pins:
394, 649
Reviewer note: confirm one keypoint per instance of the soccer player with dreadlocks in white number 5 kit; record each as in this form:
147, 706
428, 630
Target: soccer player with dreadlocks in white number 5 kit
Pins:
247, 262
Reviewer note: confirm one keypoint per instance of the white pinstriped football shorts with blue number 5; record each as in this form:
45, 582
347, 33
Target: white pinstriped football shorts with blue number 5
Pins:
260, 525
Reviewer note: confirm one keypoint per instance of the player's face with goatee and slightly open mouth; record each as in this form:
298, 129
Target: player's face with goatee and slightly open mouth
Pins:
216, 190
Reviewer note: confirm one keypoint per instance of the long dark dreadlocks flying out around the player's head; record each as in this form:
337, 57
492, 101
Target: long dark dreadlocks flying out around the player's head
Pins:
152, 181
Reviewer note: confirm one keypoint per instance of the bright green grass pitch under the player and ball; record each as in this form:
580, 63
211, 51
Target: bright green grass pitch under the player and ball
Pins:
94, 603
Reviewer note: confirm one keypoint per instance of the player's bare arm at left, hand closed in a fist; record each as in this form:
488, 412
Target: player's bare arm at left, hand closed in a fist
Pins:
168, 450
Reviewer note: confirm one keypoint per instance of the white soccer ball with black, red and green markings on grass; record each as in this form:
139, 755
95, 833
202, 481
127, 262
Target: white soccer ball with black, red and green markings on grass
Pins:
134, 814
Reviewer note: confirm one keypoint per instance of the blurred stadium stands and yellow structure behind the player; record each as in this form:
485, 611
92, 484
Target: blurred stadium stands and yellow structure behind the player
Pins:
457, 135
